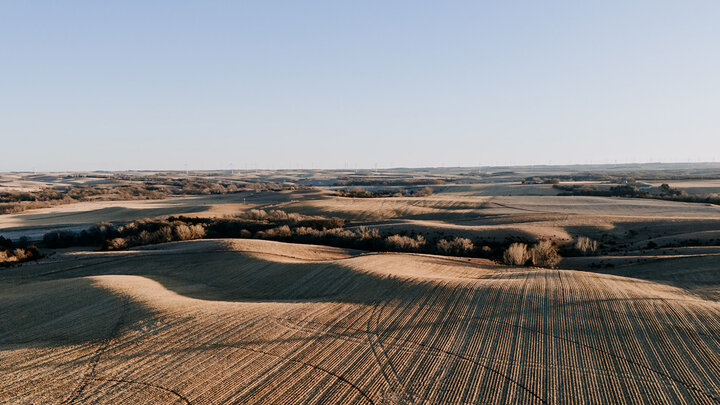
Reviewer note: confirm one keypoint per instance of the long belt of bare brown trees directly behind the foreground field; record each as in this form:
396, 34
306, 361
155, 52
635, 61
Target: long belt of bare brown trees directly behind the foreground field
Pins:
298, 228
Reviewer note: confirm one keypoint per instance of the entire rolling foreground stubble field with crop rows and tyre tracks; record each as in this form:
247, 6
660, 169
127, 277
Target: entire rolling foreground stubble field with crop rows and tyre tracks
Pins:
264, 322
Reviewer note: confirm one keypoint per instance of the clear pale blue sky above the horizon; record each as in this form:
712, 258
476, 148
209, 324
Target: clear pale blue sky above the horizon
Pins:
90, 85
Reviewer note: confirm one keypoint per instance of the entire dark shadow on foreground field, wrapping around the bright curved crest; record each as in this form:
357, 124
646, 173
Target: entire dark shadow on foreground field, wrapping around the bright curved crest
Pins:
58, 304
